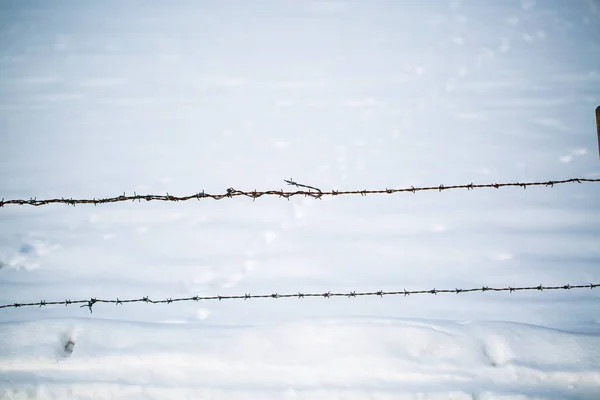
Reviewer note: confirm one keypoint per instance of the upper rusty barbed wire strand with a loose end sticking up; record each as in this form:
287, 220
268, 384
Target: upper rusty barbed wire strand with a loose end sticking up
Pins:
312, 191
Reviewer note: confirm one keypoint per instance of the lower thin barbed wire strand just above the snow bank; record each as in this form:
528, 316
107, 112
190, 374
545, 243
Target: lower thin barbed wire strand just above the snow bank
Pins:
247, 296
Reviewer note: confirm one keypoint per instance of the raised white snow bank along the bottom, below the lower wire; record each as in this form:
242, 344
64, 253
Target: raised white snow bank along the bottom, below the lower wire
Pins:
343, 358
